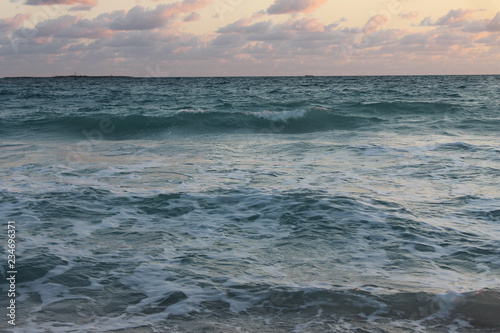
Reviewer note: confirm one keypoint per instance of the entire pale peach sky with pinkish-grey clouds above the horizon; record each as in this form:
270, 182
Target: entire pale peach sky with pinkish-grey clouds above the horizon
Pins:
249, 37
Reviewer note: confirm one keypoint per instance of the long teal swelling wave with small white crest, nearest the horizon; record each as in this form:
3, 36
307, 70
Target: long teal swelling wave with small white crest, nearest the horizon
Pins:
304, 120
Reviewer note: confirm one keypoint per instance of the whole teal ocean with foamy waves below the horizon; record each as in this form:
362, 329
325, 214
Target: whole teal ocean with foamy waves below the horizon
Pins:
252, 204
